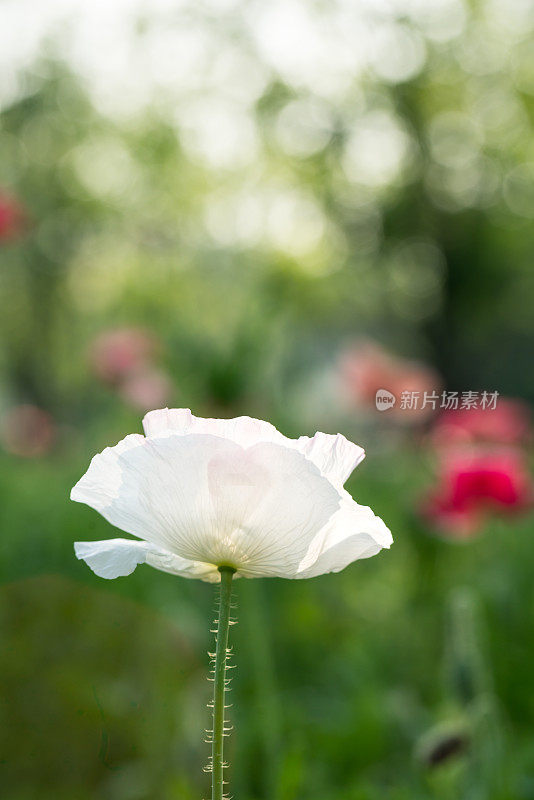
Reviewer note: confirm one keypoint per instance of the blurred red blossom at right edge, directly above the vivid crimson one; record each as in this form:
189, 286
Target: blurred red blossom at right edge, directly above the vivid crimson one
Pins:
508, 423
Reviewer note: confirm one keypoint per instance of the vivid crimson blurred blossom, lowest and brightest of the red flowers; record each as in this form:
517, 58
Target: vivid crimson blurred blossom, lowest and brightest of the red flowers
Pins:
474, 484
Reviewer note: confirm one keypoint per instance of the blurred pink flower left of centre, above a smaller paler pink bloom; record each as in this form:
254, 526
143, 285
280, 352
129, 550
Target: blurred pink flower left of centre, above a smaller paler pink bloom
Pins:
121, 352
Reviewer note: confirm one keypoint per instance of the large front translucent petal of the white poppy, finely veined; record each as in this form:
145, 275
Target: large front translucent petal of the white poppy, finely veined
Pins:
206, 499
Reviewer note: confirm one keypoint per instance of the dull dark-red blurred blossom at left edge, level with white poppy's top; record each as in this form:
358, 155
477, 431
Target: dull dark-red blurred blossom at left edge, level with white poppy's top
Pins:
27, 431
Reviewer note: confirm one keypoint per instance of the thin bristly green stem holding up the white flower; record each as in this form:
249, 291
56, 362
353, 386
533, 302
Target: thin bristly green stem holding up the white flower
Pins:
219, 683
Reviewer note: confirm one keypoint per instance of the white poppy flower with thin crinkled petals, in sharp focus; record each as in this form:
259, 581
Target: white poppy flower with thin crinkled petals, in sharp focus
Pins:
202, 493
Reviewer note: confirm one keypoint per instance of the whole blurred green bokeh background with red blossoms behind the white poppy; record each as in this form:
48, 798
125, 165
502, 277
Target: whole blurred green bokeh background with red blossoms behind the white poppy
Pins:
274, 209
